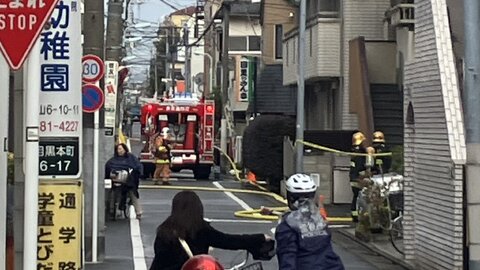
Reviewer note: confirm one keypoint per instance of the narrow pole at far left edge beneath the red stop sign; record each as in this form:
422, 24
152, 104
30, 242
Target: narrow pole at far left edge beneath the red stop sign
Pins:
4, 84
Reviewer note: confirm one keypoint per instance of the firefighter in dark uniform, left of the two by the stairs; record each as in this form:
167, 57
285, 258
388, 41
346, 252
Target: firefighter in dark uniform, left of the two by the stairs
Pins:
357, 170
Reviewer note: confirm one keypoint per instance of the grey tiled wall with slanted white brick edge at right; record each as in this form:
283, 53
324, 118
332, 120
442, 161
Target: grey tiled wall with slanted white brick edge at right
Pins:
434, 145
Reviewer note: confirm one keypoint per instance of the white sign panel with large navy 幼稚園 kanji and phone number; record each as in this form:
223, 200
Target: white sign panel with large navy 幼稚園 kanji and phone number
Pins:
60, 52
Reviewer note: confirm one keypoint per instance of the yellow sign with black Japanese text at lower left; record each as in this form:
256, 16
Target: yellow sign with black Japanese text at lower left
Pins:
59, 237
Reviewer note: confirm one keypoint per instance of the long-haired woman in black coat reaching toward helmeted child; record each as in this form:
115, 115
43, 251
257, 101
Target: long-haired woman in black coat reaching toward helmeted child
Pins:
186, 222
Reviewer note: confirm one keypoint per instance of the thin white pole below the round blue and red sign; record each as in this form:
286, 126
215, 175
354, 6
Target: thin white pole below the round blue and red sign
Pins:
96, 134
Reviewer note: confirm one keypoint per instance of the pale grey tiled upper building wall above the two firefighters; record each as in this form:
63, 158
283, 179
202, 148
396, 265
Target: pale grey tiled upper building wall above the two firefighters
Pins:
360, 18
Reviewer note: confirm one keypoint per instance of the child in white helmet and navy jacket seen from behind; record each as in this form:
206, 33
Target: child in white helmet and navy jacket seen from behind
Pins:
303, 241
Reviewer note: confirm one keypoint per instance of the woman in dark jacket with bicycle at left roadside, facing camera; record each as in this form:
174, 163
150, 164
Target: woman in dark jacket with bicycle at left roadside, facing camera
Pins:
123, 160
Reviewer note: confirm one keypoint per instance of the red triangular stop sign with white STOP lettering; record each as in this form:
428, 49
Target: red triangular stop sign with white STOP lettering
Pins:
21, 22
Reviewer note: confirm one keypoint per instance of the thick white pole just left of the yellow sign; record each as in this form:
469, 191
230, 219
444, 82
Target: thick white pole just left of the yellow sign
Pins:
31, 112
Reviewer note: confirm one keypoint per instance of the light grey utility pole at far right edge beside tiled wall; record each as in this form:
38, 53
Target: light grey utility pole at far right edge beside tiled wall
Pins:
472, 123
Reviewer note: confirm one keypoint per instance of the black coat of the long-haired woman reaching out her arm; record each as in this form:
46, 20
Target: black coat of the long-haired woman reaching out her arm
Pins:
170, 255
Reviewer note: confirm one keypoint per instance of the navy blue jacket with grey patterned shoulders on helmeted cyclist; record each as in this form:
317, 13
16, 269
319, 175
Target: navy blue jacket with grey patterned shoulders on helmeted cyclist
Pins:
303, 241
